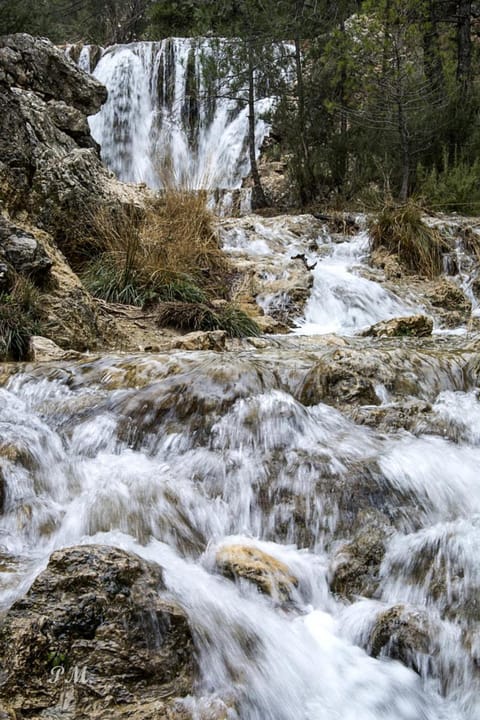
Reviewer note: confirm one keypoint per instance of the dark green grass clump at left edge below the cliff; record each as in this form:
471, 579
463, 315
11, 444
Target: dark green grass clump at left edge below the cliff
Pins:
19, 319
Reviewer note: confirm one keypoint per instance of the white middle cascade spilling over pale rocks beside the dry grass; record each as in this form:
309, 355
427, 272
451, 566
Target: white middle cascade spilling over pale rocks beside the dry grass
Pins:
342, 299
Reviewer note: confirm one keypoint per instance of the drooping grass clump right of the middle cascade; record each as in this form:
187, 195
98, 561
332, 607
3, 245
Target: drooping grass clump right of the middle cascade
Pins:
401, 230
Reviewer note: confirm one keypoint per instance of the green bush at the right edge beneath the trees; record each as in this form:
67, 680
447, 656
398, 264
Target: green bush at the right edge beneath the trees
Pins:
454, 188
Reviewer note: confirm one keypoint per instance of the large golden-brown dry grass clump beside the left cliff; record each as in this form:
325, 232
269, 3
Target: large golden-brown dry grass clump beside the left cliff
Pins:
166, 252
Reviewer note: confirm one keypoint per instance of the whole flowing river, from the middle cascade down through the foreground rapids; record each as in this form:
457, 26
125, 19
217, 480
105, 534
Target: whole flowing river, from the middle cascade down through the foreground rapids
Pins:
179, 455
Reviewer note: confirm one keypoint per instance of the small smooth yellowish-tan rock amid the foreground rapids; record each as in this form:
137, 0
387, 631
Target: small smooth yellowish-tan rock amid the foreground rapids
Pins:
271, 576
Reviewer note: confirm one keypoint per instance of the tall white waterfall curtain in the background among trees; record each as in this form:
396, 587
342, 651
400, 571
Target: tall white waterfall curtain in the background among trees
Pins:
167, 123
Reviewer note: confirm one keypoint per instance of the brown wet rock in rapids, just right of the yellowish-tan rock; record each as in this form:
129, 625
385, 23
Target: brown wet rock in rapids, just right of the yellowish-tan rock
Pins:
355, 566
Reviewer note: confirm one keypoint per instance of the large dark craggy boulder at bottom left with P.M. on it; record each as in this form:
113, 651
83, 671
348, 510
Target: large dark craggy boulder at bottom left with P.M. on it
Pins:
95, 637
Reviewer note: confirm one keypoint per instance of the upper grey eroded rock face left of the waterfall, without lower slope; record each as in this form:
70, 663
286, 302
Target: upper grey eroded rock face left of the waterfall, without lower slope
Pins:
50, 166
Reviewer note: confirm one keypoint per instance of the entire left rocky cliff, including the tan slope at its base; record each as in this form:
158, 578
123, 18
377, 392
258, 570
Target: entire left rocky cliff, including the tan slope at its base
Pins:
51, 183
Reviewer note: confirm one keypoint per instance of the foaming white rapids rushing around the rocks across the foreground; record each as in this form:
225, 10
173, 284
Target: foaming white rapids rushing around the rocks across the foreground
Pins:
99, 464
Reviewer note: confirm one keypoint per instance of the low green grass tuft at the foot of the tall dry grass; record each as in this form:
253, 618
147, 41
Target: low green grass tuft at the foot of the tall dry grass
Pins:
200, 316
